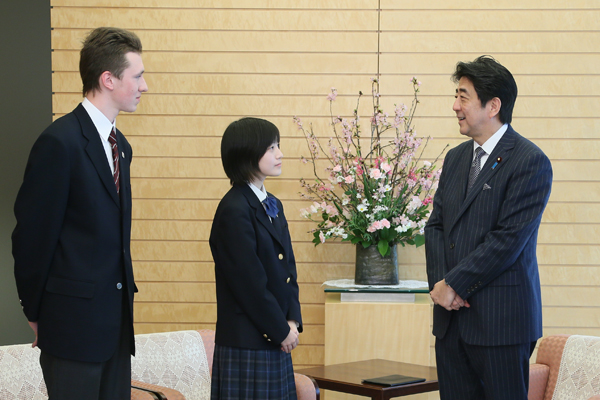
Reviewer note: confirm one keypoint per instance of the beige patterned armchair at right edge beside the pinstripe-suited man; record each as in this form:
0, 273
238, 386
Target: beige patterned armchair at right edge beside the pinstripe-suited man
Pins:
567, 365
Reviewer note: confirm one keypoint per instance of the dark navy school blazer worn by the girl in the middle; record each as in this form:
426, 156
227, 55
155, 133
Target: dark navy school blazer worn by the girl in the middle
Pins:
255, 271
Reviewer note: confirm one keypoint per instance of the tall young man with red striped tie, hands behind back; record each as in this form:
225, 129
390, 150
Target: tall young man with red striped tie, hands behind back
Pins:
71, 243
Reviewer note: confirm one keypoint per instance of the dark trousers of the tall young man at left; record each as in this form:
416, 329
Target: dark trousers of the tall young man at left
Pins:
77, 380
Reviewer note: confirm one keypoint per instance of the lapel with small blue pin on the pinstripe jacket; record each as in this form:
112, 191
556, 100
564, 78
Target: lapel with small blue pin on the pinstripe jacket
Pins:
501, 152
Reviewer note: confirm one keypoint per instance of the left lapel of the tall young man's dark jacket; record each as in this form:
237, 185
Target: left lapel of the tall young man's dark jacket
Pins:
95, 151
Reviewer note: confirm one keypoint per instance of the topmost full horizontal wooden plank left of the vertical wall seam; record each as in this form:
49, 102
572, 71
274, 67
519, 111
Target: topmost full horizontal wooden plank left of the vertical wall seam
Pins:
176, 20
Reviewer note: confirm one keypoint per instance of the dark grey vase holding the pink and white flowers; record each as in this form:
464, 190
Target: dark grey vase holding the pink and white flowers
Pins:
373, 269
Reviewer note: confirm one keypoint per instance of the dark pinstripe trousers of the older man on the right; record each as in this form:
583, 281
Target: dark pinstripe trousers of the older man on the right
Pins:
468, 372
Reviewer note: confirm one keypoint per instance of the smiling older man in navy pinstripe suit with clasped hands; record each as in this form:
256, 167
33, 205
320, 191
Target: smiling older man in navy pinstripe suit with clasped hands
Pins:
481, 243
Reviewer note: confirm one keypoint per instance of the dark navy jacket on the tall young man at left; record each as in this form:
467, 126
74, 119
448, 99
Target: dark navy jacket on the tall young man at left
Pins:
71, 243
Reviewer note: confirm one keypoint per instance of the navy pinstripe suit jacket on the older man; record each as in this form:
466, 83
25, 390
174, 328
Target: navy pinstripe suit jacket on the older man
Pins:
484, 244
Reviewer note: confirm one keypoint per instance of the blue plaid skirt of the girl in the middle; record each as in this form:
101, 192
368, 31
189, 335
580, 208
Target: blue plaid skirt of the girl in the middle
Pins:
245, 374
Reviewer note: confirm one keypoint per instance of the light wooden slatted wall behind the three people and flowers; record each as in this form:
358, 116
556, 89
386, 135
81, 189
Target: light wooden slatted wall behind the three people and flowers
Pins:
209, 62
